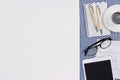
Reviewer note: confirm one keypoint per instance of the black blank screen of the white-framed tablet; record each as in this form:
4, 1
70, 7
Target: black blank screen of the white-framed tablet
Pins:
99, 70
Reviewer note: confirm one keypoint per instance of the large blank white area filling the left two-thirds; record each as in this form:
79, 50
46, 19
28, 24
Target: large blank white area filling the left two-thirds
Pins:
39, 40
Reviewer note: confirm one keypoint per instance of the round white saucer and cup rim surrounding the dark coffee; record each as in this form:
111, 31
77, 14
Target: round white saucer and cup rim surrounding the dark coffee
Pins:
107, 18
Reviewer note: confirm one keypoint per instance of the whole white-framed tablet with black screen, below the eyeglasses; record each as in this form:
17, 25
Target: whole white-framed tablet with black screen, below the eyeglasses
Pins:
98, 69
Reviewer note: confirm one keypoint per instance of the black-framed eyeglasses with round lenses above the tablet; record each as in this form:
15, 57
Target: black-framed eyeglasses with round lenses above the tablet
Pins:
92, 49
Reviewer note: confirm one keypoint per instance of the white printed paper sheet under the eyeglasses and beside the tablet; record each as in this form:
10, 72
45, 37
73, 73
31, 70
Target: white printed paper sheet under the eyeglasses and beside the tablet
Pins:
114, 52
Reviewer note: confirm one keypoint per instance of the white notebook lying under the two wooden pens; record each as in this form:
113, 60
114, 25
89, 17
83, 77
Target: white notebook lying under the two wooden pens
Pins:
90, 29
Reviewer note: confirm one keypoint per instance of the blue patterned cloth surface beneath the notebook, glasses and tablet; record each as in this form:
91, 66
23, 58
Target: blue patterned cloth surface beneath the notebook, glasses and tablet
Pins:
84, 40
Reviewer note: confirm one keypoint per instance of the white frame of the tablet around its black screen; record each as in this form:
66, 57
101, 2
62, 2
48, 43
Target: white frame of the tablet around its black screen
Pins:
97, 60
